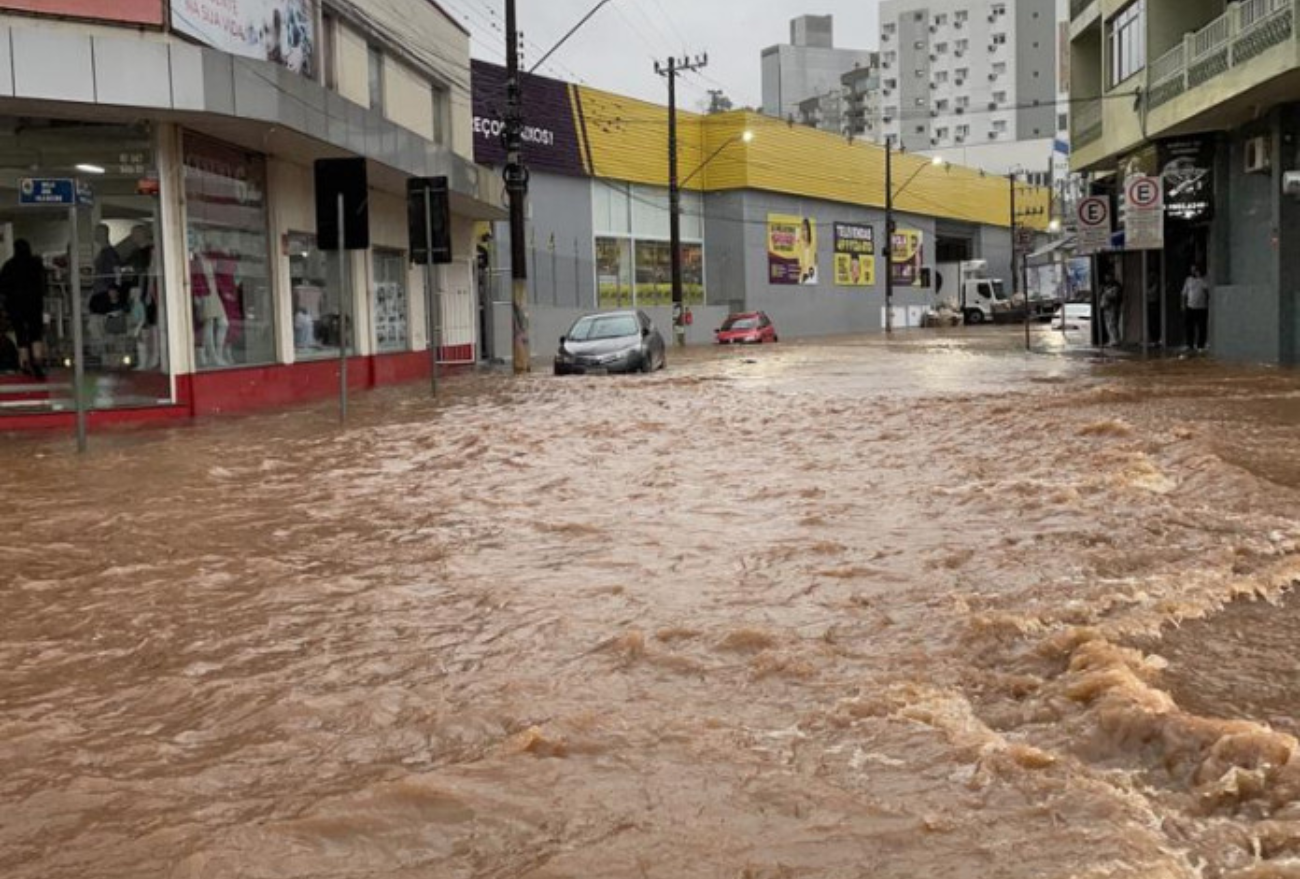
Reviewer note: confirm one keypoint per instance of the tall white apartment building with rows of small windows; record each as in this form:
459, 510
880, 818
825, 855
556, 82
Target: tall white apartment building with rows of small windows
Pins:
980, 84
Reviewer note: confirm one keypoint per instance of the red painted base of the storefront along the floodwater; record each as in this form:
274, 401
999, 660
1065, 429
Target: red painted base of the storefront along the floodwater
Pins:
231, 392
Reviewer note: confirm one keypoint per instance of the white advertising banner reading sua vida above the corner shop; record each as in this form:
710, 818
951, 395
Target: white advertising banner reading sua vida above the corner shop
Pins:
281, 32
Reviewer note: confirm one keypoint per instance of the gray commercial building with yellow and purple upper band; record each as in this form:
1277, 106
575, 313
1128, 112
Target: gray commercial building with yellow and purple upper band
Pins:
788, 222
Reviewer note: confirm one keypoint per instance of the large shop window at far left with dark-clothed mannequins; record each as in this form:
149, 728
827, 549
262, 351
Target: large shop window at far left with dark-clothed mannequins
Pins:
120, 258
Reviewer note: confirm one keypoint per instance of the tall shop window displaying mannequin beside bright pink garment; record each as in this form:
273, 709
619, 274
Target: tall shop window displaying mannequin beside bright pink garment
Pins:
229, 267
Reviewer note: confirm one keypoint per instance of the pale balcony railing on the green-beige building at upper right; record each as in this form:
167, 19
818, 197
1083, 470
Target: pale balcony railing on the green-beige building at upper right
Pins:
1245, 32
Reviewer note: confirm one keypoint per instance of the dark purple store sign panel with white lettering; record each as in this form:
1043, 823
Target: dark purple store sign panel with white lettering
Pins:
551, 131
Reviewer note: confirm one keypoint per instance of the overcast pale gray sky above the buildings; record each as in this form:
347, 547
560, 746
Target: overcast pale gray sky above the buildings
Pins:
617, 50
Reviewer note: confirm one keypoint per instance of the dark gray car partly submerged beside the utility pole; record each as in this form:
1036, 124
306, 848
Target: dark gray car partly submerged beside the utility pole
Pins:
612, 343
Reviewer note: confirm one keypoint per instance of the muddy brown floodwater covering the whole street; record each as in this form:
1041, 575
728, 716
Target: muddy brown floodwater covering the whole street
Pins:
826, 612
